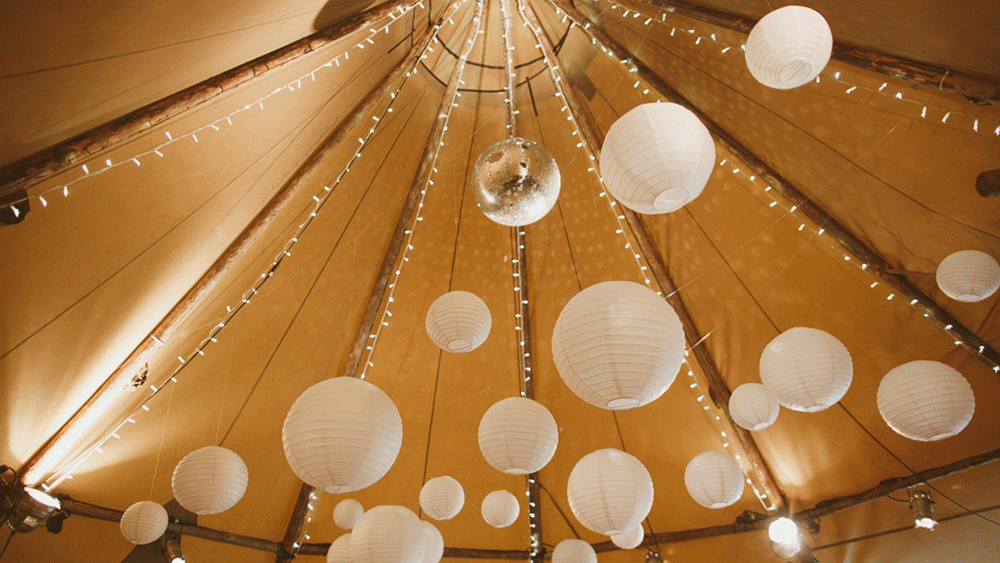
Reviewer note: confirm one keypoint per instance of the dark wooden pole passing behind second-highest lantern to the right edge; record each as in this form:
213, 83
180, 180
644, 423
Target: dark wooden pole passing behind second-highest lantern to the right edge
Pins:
847, 240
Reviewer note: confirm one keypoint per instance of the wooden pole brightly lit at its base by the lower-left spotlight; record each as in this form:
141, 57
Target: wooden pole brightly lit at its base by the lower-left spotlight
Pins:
51, 453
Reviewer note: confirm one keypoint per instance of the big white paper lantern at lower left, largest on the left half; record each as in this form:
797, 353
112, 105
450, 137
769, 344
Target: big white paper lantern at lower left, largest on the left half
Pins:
342, 435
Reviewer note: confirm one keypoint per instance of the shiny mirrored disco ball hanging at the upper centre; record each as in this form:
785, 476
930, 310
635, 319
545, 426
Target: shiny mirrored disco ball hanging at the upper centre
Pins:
515, 182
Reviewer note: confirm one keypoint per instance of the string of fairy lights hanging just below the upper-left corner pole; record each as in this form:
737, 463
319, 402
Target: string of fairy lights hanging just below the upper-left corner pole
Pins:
214, 125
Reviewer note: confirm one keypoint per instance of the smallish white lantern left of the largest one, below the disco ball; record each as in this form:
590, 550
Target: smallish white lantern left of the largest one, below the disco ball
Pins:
458, 322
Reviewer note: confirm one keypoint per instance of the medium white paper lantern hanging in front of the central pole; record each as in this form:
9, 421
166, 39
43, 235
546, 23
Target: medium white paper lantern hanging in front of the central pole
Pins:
518, 436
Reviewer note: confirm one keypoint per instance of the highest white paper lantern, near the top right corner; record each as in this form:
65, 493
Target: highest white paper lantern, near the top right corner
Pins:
789, 47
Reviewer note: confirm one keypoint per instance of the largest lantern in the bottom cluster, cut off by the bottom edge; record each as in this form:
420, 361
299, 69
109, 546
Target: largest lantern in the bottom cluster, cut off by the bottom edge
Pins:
388, 534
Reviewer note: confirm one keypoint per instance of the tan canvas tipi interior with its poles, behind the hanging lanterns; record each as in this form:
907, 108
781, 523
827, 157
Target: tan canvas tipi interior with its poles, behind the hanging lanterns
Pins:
210, 207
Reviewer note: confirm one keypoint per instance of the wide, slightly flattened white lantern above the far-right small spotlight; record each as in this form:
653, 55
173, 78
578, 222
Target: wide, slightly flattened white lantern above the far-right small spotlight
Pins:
925, 400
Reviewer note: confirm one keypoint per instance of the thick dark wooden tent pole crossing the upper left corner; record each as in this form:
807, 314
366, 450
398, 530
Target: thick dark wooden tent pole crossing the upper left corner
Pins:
48, 162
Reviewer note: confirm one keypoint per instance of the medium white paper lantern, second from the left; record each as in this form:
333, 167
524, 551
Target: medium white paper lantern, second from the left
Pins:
209, 480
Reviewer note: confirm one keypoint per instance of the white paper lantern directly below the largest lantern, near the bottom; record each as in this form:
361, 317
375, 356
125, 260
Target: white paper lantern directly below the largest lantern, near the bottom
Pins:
610, 491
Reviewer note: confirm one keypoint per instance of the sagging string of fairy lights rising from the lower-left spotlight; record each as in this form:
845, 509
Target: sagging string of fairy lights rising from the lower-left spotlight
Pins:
319, 200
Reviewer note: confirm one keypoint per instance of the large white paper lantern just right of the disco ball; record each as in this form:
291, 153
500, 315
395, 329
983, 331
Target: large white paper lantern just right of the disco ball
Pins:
657, 157
